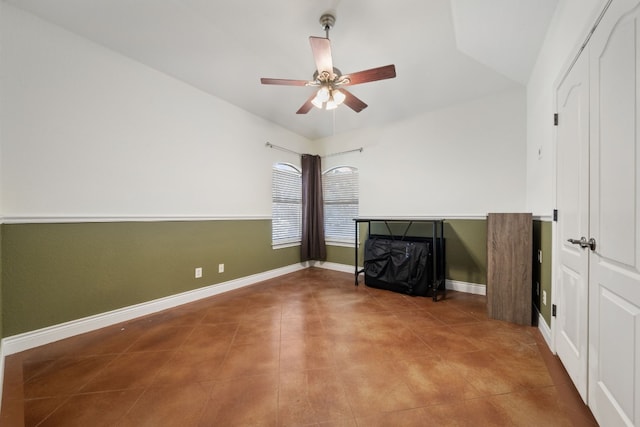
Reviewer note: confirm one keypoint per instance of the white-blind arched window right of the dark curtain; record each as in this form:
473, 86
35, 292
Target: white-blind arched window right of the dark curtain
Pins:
341, 194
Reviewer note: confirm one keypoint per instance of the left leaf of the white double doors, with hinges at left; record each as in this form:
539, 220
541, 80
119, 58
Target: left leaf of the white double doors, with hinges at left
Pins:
571, 281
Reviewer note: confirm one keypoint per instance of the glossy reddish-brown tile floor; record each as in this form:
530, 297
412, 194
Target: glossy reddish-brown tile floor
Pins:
305, 349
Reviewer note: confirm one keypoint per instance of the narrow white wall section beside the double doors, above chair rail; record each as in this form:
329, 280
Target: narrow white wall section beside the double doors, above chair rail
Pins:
568, 30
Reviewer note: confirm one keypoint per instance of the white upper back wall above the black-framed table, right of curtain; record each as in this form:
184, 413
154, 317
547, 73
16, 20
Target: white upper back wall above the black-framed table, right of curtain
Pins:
466, 160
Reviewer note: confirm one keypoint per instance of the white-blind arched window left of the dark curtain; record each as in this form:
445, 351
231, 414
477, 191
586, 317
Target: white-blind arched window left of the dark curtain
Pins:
286, 214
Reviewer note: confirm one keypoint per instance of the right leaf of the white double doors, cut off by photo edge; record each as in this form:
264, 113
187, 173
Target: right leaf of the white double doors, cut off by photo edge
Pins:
614, 265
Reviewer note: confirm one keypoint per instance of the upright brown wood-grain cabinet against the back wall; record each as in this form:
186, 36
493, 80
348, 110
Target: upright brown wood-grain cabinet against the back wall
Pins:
509, 265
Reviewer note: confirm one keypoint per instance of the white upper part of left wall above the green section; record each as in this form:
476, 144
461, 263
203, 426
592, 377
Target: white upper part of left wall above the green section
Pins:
87, 132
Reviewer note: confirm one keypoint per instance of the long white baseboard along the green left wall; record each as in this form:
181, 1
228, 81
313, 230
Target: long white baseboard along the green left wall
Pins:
17, 343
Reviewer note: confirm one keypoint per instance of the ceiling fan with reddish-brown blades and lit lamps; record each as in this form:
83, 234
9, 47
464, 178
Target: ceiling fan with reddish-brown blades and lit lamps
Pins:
329, 80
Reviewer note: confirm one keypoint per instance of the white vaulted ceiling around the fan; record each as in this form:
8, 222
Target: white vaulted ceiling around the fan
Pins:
445, 51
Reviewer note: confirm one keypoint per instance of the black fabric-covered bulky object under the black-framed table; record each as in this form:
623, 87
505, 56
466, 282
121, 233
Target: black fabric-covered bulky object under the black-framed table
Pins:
404, 266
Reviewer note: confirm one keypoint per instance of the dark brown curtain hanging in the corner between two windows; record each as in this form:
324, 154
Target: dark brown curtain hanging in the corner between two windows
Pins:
313, 245
